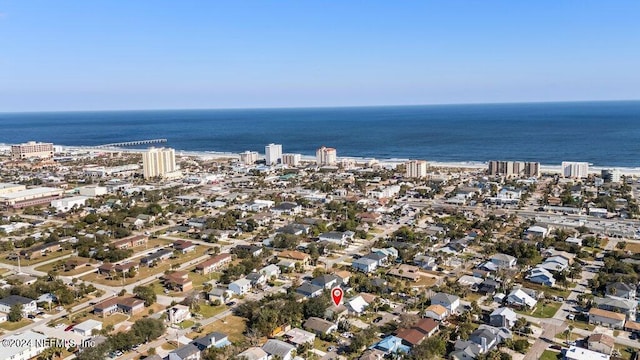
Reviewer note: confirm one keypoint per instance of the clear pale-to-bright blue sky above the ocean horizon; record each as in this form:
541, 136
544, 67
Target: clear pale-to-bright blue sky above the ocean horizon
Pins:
108, 54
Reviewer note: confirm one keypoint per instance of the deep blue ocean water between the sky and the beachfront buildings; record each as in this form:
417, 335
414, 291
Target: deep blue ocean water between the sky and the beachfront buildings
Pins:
602, 133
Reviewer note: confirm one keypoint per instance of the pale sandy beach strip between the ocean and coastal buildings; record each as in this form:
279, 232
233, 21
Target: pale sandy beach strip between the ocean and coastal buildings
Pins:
472, 165
